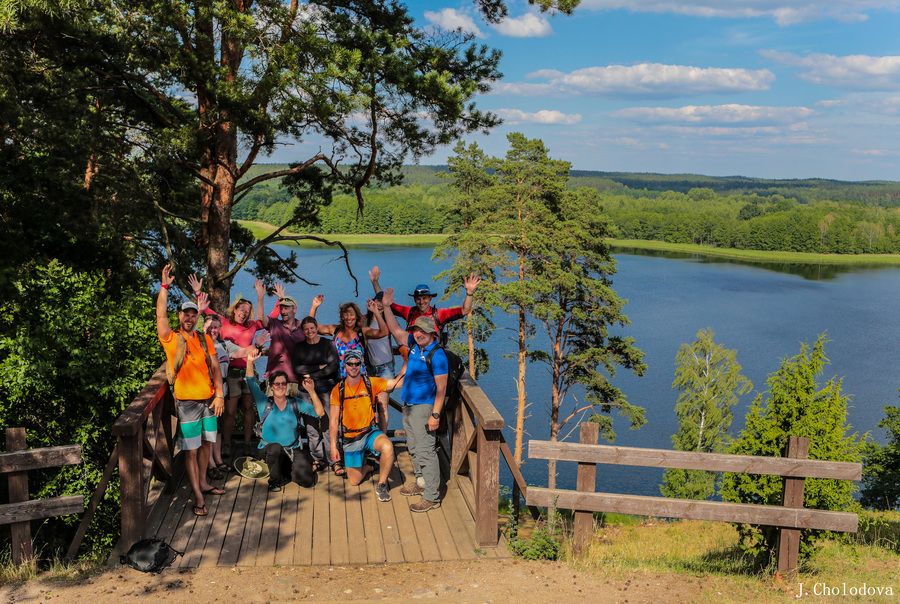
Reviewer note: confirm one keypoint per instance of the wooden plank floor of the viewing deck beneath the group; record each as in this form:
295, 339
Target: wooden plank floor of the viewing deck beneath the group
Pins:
332, 523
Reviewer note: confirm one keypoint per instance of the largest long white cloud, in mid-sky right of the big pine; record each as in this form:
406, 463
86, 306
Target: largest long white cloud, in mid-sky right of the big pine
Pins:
648, 80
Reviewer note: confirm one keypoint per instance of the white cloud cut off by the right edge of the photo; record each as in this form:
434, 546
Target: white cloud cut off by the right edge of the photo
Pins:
854, 72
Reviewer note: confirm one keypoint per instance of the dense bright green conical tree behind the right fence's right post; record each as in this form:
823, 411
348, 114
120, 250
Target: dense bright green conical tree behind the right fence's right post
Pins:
795, 405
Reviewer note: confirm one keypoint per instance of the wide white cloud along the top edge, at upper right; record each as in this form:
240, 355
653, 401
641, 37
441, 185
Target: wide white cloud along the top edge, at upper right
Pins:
783, 12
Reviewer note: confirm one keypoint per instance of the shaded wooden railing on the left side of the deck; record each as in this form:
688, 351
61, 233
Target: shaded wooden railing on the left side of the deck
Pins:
145, 452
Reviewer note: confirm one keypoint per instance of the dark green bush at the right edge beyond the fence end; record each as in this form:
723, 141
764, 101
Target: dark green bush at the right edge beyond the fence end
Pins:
881, 466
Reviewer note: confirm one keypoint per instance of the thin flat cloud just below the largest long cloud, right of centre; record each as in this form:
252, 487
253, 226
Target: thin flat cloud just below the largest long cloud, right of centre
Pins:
723, 115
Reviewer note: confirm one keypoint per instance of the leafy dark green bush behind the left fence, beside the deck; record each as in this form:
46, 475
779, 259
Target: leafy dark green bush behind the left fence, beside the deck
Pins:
73, 353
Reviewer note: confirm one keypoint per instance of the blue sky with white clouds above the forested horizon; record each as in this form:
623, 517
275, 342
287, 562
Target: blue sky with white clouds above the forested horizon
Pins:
763, 88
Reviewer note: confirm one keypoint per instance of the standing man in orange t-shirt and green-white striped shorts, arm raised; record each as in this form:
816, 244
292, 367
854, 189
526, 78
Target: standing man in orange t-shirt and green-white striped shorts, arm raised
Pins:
197, 389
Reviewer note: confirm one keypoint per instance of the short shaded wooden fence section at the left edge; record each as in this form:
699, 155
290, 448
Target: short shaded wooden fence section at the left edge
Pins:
20, 511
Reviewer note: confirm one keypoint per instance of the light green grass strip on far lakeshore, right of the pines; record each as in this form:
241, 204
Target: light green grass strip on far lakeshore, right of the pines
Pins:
757, 255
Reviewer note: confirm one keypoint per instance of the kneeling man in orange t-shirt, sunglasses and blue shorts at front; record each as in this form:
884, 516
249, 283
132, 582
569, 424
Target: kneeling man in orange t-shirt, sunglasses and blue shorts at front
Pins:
356, 423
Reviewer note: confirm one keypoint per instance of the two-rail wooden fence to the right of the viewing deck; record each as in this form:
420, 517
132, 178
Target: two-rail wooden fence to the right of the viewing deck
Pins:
790, 517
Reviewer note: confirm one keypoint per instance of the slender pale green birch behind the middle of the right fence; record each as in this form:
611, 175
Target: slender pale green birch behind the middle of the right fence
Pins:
710, 380
